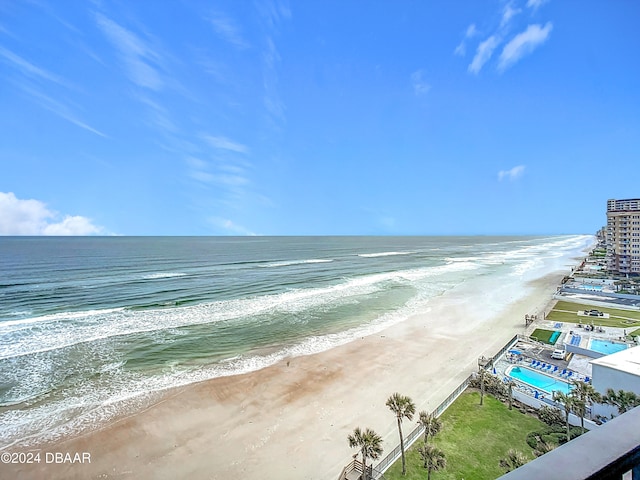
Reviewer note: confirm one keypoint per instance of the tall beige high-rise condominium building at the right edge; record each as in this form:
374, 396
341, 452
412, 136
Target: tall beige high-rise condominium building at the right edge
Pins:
623, 236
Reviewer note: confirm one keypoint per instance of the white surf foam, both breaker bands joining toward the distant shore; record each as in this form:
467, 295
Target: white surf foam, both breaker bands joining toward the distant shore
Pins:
101, 399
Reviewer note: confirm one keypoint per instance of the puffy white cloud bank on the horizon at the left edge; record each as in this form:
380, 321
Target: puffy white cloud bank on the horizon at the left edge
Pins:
32, 217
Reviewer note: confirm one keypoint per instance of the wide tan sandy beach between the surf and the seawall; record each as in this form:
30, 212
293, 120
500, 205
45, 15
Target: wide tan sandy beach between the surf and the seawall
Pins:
291, 420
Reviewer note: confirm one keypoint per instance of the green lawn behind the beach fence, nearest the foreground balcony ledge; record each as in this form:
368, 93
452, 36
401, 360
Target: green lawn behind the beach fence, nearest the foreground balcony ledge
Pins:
474, 438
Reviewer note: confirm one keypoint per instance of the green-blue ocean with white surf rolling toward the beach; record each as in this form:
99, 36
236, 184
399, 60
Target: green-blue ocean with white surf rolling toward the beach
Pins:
92, 327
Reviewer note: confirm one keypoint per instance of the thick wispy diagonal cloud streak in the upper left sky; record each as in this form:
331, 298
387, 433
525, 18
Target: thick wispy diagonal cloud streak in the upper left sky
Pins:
140, 60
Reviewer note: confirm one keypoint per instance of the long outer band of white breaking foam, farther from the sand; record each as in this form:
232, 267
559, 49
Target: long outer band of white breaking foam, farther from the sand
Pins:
56, 331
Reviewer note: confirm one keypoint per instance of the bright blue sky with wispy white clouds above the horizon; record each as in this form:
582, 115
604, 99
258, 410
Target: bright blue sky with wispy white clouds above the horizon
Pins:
316, 117
